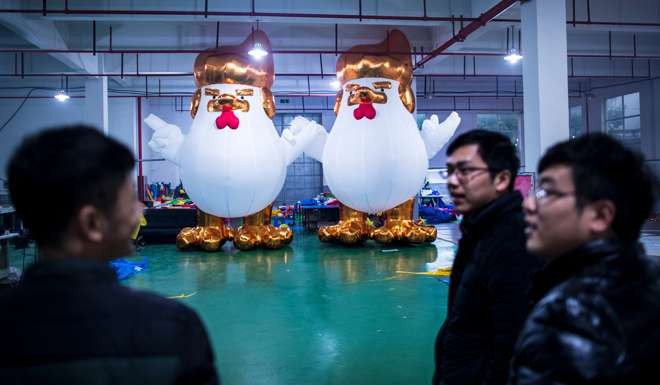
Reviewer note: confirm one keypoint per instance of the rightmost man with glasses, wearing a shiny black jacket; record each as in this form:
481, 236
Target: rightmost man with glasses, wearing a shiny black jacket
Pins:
597, 314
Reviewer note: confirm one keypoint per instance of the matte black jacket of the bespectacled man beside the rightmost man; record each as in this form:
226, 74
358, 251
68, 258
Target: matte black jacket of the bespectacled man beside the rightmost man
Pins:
487, 300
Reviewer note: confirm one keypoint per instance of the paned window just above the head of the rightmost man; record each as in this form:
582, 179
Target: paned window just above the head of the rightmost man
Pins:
622, 119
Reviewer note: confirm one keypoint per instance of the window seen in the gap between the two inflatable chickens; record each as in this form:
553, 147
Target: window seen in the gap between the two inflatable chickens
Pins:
304, 177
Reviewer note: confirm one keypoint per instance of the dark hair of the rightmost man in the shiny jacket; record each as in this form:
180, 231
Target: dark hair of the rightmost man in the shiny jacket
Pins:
602, 168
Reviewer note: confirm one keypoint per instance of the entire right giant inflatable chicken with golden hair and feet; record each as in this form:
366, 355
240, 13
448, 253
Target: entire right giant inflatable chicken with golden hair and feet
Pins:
375, 158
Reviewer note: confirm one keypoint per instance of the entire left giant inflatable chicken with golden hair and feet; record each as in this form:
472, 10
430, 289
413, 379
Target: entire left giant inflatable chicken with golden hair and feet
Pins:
232, 162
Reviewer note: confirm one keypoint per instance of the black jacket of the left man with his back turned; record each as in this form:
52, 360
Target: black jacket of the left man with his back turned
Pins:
72, 322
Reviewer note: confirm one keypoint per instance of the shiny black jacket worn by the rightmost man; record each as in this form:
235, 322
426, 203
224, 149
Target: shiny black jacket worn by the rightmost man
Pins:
597, 321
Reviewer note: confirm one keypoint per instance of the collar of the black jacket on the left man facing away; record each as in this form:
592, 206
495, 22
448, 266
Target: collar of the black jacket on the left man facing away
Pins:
71, 271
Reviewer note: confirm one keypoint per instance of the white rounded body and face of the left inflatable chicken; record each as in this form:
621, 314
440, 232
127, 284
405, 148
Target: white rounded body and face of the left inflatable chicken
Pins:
221, 179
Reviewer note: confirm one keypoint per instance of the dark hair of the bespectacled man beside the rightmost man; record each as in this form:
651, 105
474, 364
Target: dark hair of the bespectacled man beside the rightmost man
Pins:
494, 148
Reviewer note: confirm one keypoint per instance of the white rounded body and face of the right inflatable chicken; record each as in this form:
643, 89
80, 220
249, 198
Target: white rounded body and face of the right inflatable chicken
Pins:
391, 162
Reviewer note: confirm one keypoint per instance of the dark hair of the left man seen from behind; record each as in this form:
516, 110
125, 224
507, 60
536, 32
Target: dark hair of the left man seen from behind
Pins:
55, 172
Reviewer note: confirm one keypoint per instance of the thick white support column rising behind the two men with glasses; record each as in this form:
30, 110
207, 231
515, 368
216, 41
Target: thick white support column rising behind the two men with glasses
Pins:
545, 77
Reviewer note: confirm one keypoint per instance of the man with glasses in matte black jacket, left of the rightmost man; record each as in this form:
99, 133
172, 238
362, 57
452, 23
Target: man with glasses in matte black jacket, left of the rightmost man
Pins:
491, 272
